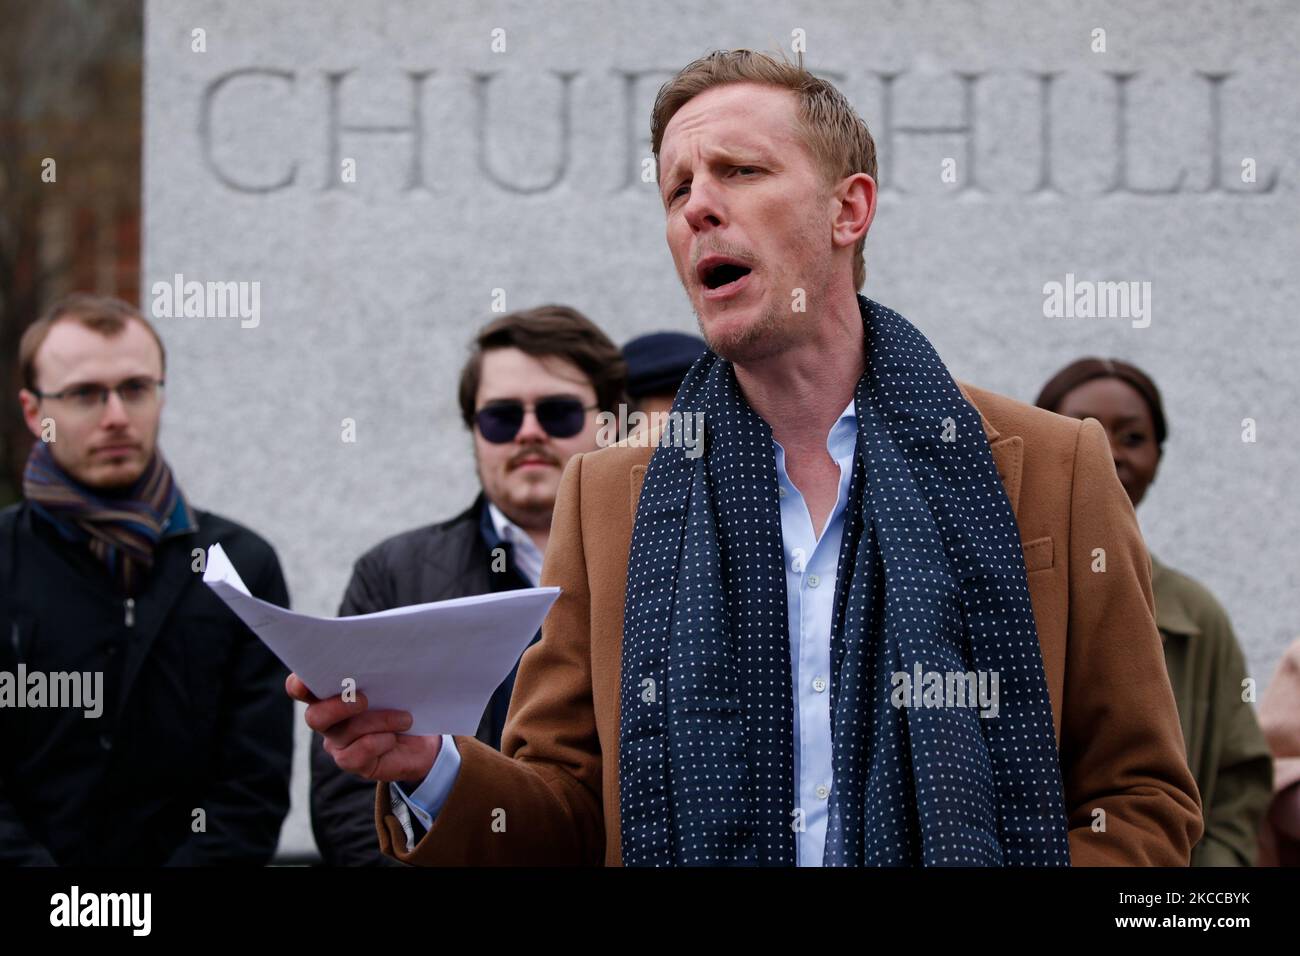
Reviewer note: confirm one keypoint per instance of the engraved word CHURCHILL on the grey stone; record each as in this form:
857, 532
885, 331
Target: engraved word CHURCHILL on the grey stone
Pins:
320, 110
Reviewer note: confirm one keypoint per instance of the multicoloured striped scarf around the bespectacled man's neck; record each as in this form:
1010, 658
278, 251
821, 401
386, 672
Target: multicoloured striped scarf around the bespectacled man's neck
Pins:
122, 530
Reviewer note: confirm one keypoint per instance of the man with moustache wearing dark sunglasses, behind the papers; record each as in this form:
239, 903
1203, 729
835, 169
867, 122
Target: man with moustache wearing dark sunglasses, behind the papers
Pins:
530, 395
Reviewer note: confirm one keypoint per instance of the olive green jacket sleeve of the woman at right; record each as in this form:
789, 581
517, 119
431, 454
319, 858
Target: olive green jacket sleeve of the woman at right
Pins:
1243, 778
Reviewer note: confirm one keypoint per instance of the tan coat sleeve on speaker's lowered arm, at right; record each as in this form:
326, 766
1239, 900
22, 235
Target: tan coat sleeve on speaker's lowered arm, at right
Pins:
1130, 797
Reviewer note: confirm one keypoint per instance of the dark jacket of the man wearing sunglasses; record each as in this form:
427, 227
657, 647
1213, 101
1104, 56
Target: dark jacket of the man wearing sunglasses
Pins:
436, 563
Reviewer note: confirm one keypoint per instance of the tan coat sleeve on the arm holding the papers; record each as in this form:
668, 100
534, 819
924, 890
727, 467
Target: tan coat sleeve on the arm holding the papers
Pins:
539, 801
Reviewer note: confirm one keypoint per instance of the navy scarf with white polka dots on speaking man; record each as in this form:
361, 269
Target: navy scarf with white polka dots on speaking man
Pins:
931, 581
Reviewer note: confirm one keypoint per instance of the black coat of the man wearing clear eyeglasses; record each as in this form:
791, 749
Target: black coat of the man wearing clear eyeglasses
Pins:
196, 715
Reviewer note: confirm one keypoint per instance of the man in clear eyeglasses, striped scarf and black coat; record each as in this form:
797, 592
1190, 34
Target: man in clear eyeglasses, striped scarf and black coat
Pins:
141, 723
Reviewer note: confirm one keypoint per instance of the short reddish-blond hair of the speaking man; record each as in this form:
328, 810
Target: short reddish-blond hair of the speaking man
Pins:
838, 137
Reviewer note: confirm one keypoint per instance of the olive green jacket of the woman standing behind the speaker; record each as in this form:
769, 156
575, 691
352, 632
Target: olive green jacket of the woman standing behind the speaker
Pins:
1227, 750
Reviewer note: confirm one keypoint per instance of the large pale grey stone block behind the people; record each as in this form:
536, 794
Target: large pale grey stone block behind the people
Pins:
521, 171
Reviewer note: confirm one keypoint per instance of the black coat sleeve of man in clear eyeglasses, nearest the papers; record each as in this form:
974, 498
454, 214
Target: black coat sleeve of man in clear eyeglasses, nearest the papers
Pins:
249, 801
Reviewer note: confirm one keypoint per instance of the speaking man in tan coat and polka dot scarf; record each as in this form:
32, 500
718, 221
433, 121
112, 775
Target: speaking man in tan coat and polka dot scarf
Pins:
720, 681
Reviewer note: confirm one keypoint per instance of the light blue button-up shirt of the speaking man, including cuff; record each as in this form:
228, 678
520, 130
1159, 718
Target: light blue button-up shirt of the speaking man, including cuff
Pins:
811, 583
